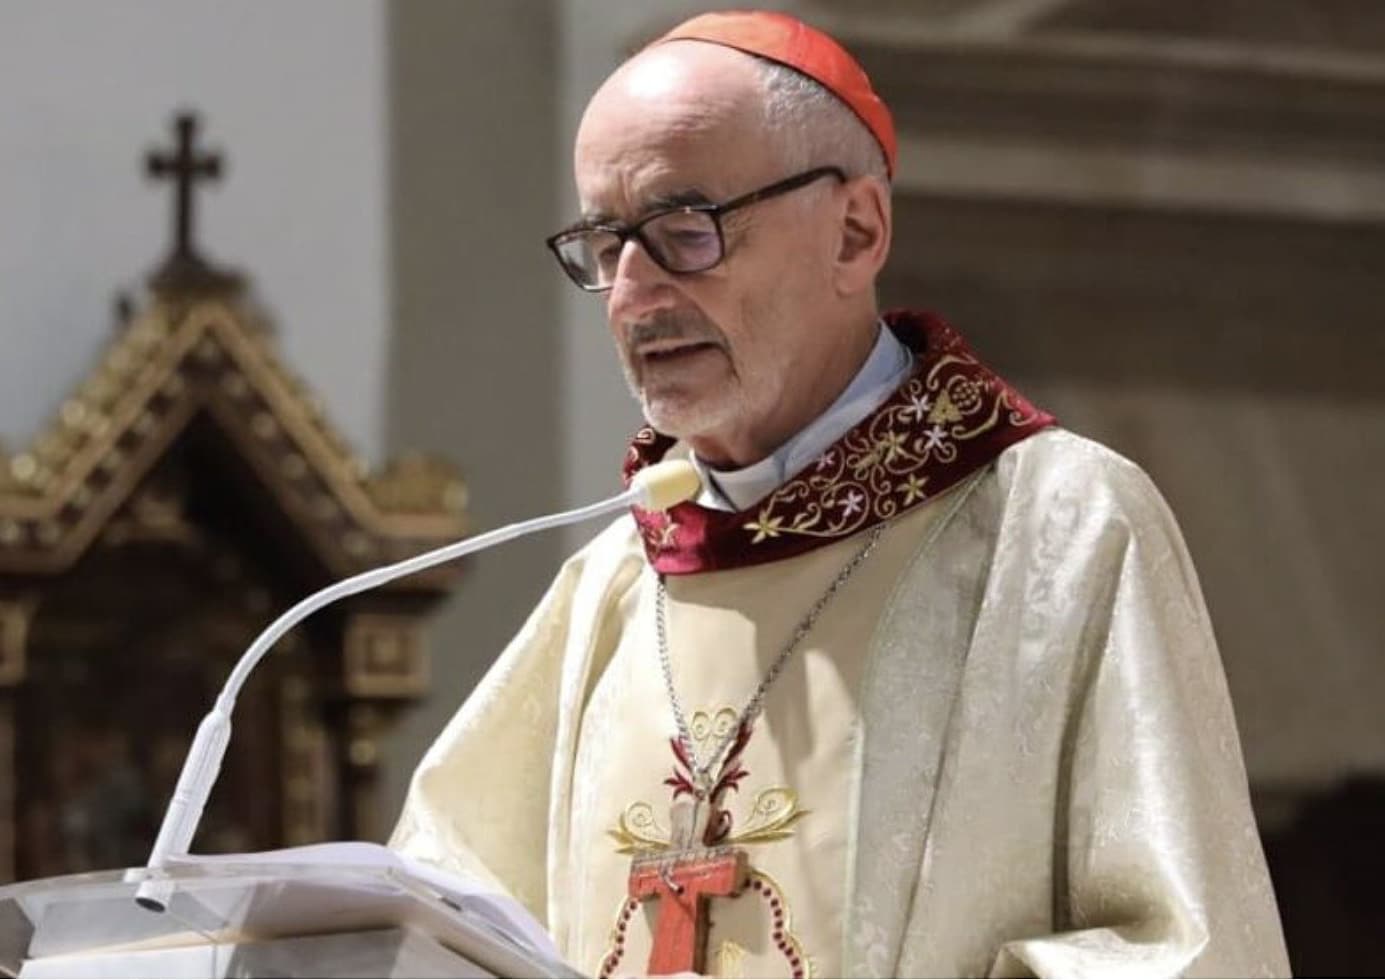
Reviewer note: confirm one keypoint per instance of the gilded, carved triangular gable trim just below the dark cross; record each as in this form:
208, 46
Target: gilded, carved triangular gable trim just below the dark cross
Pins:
166, 367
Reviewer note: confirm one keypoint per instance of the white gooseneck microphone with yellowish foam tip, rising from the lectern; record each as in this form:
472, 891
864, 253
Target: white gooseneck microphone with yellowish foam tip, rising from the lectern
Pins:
657, 488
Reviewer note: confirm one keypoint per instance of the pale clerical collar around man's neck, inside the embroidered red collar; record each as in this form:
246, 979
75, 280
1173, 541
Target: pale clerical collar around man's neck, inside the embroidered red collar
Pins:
886, 369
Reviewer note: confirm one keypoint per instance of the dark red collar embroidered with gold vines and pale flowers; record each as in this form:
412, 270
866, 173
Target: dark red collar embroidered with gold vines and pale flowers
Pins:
951, 419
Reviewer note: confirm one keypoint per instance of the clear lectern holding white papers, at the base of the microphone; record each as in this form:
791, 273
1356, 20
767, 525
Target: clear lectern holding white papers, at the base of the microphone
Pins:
246, 918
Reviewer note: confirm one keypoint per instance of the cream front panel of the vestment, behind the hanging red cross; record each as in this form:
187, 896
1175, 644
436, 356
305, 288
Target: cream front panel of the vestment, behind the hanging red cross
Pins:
790, 812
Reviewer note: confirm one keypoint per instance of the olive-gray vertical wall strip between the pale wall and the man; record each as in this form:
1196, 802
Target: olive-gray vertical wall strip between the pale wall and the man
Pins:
474, 373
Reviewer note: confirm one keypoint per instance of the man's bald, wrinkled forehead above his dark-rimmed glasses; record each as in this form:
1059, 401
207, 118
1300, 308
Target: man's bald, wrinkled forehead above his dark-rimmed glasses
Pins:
678, 122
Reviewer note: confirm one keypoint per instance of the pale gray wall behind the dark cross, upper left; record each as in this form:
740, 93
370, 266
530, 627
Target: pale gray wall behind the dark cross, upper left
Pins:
294, 93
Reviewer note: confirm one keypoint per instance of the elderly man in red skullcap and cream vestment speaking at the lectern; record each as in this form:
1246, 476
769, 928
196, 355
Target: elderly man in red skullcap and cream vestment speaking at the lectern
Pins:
920, 684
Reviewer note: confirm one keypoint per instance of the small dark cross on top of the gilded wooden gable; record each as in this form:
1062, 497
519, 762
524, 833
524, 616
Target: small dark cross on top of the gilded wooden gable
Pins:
185, 271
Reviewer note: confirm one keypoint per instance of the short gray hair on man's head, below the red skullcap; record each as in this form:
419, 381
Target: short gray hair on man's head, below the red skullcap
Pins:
815, 128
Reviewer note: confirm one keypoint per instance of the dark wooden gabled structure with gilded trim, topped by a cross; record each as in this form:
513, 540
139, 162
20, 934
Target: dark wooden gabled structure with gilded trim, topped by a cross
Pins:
186, 493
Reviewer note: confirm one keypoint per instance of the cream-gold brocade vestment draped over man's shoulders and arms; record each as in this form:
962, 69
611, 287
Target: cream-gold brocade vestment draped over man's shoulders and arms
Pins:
1021, 759
